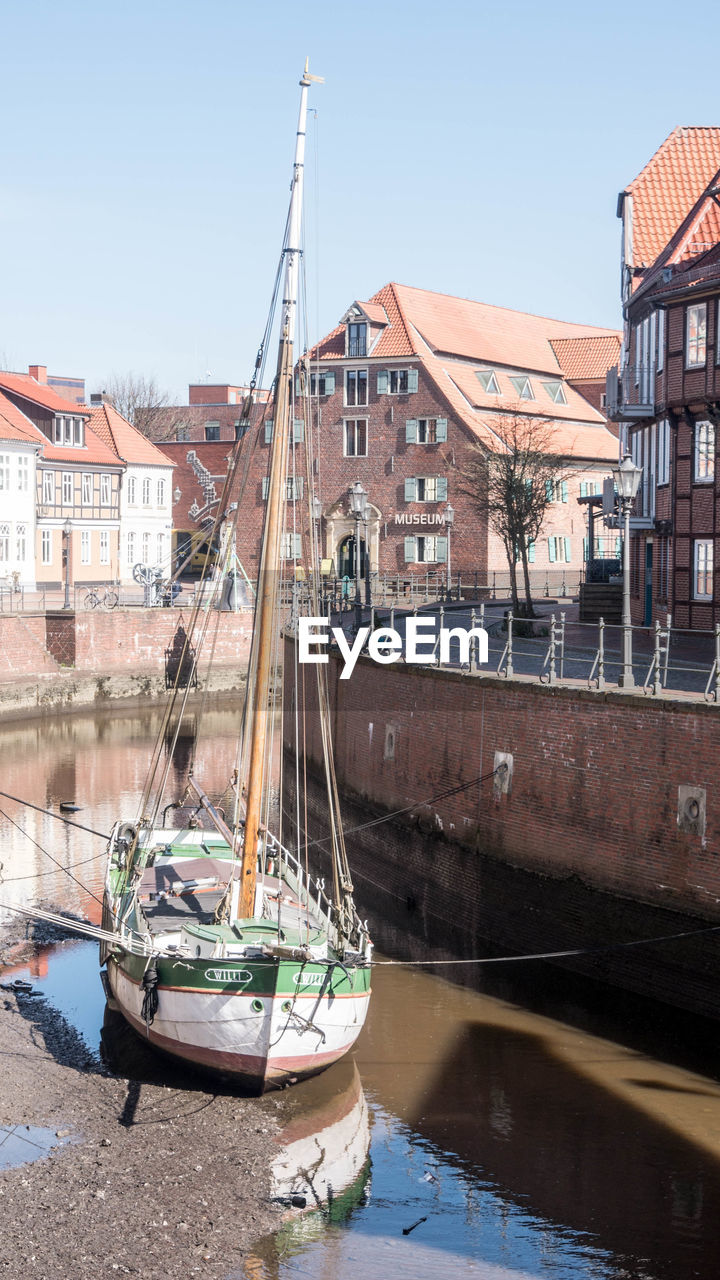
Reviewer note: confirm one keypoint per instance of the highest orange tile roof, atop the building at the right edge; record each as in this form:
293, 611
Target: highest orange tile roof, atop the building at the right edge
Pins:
668, 188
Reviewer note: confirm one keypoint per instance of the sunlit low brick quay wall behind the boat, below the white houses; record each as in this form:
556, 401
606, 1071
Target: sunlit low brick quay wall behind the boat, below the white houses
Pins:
52, 662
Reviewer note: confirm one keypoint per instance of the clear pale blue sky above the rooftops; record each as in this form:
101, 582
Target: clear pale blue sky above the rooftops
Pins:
468, 148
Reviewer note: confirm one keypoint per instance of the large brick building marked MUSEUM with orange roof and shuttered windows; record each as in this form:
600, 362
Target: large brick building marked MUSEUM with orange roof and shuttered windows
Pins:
399, 392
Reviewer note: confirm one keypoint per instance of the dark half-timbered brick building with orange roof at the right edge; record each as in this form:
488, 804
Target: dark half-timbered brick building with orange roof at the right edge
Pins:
667, 390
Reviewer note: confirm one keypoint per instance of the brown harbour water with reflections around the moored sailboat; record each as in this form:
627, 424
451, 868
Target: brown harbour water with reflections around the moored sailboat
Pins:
543, 1130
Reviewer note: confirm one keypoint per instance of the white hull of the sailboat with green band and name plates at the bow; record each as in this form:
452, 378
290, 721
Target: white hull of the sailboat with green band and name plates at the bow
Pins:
261, 1022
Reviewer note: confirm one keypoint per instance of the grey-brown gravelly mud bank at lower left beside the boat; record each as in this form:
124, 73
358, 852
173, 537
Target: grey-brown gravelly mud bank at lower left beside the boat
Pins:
158, 1174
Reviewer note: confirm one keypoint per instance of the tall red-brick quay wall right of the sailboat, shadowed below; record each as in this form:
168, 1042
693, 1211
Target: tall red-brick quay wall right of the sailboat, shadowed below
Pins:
585, 848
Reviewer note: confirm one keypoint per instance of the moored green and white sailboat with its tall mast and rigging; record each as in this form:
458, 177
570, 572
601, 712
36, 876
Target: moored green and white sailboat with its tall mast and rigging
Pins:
218, 945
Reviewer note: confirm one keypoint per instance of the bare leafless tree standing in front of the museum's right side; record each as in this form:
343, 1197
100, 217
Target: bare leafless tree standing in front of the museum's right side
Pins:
513, 488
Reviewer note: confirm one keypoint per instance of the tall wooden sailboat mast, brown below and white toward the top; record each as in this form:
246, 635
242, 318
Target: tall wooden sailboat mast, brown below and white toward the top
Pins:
266, 610
